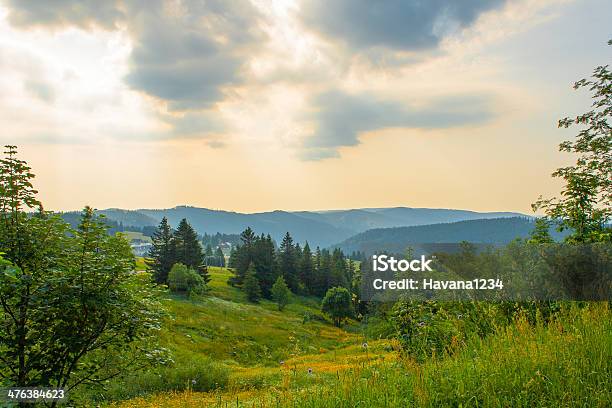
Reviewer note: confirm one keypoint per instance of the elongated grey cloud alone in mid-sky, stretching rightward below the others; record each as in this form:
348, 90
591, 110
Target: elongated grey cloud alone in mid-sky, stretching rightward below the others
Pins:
340, 118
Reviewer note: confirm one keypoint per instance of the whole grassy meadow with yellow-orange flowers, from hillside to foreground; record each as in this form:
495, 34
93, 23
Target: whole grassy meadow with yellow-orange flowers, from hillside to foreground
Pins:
231, 353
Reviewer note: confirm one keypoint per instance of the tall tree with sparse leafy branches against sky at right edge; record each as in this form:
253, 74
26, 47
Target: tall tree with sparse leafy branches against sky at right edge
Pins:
585, 206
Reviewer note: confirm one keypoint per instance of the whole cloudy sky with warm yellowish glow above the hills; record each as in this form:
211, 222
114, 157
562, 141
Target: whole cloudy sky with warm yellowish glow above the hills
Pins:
295, 105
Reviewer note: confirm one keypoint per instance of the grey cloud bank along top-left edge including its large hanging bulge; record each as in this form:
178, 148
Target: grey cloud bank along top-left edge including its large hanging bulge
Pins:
184, 53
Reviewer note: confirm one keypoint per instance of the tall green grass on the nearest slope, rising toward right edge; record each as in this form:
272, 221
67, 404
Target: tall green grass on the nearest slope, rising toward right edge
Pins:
567, 363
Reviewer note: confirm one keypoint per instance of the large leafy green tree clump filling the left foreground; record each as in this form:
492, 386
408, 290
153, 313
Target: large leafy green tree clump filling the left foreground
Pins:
72, 310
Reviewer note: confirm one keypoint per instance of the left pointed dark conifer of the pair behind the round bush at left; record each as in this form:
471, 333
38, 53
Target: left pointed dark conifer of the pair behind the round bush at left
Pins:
162, 254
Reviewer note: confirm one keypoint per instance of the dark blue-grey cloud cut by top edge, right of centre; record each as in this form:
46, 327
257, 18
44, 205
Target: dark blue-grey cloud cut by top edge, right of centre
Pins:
396, 24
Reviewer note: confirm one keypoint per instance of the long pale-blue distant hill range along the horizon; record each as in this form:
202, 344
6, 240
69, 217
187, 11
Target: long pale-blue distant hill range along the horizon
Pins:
319, 228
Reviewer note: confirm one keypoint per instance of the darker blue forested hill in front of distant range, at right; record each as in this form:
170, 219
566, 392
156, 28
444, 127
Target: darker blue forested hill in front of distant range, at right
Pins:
436, 237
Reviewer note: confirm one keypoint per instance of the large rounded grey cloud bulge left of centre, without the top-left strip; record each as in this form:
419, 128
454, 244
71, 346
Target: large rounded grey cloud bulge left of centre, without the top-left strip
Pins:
187, 57
